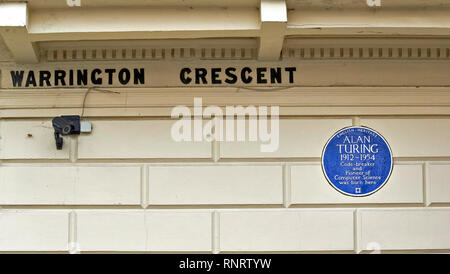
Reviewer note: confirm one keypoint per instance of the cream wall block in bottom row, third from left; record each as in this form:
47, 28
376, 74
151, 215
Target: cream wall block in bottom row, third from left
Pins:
293, 230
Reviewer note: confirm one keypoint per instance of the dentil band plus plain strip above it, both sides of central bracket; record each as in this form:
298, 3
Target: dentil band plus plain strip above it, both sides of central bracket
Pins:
247, 49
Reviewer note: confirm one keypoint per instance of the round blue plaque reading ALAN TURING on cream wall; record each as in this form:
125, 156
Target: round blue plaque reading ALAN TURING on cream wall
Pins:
357, 161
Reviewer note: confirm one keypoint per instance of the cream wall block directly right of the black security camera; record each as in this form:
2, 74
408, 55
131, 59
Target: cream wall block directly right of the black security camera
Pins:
137, 139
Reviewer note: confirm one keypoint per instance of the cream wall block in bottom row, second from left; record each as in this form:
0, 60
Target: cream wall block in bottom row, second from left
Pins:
144, 230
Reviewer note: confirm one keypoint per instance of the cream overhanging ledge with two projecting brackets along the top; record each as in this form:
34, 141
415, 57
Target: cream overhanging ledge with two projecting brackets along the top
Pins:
25, 25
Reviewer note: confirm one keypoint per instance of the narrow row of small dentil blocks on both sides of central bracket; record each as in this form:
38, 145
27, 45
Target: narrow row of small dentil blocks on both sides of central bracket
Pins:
313, 53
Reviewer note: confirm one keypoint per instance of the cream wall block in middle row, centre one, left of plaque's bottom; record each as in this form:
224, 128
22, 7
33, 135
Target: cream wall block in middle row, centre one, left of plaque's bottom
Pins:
215, 184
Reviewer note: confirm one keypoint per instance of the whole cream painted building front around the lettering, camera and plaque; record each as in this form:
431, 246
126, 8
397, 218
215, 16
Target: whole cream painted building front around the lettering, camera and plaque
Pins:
129, 187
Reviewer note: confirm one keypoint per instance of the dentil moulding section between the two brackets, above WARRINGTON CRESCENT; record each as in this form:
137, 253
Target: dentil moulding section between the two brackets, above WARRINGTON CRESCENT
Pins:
203, 49
